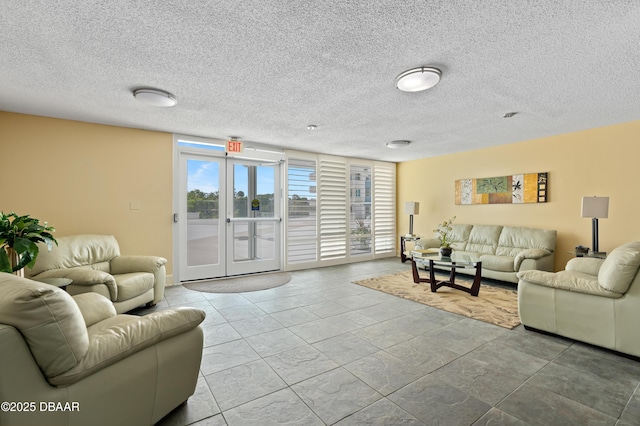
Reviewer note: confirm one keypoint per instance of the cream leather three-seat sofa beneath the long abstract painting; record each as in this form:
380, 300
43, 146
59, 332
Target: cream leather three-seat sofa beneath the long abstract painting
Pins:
503, 250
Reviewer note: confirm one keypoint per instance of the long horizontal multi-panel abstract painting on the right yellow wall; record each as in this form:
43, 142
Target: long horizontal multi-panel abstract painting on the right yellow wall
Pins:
514, 189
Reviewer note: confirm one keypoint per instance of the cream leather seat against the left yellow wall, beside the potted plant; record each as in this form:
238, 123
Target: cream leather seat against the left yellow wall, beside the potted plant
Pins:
94, 264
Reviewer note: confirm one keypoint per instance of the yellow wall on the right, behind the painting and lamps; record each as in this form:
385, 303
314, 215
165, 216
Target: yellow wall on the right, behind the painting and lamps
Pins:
602, 161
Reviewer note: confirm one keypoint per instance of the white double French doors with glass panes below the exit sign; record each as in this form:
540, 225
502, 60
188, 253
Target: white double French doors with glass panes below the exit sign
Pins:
229, 216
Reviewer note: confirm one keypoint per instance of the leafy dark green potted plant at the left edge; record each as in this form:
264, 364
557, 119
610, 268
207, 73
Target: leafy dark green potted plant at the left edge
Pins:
18, 238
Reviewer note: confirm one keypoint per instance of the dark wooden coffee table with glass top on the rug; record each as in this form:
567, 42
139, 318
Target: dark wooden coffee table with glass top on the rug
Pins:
453, 263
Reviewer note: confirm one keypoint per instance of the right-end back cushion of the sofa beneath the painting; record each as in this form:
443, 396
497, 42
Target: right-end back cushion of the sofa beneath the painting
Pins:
513, 239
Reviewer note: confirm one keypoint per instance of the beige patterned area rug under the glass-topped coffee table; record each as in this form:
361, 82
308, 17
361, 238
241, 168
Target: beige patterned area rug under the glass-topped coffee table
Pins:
493, 305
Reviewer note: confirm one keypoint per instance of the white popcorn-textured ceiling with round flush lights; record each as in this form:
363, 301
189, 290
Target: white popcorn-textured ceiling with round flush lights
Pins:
264, 70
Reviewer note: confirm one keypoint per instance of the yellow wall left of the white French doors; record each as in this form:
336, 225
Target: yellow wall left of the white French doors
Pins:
83, 178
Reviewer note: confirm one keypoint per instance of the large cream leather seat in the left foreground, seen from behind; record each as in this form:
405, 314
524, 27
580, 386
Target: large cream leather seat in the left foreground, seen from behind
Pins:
73, 361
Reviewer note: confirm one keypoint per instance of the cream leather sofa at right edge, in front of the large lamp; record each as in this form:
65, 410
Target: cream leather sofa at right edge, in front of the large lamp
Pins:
595, 301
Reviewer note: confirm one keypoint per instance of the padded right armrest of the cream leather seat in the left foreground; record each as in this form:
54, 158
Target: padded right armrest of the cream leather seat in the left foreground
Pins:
121, 336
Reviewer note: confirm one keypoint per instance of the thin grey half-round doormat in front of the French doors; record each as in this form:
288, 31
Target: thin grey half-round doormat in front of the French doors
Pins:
242, 284
